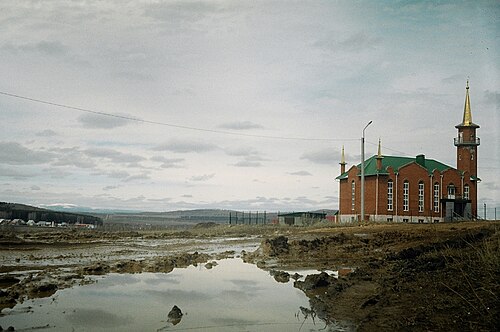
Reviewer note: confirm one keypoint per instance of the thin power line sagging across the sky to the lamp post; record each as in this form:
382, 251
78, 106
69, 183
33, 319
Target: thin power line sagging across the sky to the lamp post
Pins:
214, 131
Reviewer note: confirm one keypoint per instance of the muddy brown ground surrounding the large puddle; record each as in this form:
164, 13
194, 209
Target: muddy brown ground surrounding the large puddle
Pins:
392, 277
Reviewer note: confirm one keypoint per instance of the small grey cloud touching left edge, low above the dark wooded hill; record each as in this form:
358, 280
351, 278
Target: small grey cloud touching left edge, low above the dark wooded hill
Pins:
13, 153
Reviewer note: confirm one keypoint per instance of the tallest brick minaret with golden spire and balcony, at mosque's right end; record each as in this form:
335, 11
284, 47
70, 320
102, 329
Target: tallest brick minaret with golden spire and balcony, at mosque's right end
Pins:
467, 142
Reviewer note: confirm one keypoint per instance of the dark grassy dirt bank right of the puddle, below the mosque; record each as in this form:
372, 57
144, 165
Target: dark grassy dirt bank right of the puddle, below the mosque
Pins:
406, 277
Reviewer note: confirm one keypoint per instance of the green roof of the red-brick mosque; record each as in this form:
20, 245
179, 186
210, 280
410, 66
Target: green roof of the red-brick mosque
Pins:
396, 163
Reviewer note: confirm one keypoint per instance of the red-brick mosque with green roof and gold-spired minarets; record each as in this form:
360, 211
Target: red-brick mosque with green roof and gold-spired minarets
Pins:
405, 189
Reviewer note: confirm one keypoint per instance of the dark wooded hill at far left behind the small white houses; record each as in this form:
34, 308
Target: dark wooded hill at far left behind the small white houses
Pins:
27, 212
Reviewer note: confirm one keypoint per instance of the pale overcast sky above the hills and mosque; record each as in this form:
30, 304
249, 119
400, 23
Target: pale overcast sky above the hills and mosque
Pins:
238, 104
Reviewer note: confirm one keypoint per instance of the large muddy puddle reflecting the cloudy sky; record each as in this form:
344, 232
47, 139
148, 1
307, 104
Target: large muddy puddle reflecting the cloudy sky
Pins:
233, 296
